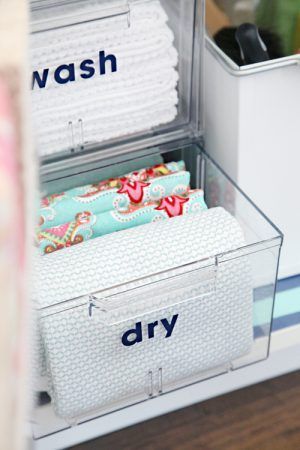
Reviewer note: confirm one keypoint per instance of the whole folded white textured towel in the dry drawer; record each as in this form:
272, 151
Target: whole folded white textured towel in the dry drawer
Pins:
88, 367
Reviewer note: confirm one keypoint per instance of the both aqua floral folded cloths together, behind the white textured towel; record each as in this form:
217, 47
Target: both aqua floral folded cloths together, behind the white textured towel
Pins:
148, 195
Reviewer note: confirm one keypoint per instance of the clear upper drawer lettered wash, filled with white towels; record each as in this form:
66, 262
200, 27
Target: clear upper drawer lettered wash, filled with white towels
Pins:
109, 73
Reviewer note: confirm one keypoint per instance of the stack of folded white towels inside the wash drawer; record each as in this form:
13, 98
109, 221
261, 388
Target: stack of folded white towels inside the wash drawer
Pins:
140, 95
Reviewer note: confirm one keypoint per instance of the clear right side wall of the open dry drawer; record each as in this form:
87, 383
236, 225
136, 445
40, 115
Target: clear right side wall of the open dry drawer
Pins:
262, 251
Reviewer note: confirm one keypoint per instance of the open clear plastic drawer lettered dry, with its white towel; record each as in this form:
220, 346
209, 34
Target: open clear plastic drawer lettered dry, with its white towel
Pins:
138, 313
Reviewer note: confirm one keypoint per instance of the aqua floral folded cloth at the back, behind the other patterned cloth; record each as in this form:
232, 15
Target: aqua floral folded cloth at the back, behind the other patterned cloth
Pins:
139, 187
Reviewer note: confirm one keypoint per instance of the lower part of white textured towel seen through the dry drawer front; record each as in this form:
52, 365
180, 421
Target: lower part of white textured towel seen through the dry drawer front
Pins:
177, 331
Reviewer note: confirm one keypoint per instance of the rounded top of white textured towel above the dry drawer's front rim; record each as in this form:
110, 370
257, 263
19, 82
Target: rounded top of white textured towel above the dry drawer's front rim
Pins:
140, 252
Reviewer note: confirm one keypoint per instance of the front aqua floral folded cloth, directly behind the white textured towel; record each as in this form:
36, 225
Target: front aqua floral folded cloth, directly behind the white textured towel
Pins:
88, 226
